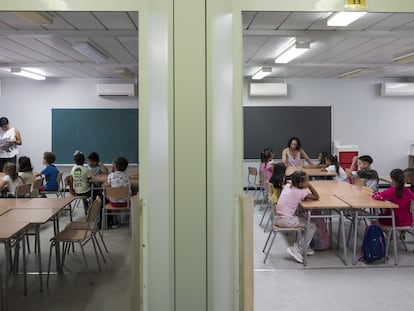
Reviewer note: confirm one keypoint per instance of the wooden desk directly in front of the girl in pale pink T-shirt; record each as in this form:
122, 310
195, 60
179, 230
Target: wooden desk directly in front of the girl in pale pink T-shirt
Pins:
326, 203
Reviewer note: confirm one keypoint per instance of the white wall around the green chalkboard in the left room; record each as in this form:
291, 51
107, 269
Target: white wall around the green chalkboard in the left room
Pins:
28, 103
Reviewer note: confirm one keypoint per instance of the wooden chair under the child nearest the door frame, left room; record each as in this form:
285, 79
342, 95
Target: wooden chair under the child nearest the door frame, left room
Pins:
108, 209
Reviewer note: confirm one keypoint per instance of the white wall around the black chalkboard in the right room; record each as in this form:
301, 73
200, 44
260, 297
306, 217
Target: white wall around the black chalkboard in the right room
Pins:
382, 127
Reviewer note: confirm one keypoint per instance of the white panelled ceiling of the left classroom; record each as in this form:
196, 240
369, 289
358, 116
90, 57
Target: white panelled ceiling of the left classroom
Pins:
49, 47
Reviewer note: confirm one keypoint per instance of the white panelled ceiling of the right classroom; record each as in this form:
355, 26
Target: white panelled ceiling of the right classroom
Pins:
369, 44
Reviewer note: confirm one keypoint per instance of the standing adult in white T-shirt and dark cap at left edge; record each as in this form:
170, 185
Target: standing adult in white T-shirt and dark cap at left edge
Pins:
9, 139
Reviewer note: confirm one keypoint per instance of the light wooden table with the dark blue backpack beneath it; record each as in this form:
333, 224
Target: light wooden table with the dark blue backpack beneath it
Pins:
357, 198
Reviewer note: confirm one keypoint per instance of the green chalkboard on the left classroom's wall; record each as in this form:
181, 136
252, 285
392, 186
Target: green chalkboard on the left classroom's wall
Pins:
109, 132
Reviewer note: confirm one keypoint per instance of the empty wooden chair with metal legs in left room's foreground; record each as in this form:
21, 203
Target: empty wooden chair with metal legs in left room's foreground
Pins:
80, 236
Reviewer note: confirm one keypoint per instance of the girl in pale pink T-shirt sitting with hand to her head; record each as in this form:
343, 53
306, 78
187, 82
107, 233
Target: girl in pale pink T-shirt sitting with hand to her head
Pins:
286, 209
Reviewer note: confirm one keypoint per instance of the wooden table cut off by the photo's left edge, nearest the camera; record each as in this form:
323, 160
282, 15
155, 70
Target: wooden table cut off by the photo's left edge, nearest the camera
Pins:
8, 232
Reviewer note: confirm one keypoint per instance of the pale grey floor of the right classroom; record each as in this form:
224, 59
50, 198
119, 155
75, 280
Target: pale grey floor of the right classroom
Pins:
326, 283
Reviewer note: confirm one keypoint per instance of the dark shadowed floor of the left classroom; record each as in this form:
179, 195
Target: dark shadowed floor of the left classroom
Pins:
72, 290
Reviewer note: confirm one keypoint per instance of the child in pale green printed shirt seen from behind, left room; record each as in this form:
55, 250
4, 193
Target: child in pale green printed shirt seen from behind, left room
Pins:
80, 179
